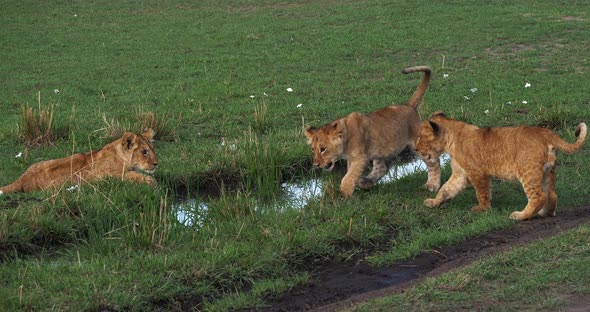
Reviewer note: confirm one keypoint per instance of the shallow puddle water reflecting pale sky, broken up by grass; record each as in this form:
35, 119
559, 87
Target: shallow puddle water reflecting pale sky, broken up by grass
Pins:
192, 212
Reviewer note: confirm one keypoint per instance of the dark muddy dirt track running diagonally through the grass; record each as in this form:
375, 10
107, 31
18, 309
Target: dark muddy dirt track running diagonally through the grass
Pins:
336, 286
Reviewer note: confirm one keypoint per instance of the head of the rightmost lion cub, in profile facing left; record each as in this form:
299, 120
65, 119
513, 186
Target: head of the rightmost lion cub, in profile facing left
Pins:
430, 143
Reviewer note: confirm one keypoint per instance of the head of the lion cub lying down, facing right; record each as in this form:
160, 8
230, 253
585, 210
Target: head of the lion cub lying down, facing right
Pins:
138, 151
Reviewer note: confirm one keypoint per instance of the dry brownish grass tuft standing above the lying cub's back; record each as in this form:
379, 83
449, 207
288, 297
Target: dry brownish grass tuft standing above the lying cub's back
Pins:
36, 126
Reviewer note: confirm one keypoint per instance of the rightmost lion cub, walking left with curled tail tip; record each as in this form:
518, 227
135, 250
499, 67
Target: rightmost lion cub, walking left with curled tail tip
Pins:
526, 153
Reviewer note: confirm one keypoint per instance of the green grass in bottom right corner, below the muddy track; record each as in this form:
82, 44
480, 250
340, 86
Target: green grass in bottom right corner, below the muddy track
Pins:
543, 276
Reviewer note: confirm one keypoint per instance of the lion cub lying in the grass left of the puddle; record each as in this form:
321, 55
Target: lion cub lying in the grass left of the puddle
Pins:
123, 158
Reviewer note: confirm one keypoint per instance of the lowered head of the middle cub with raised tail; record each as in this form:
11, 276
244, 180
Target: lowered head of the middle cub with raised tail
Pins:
327, 143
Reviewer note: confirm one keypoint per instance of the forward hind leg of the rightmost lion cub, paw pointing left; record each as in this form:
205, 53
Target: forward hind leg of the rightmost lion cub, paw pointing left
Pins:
532, 182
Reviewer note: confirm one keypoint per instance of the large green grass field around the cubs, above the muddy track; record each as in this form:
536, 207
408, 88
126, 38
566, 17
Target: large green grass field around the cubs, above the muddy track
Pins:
216, 75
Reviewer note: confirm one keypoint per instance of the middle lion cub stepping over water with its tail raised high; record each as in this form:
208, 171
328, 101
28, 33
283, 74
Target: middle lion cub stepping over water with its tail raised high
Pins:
376, 136
